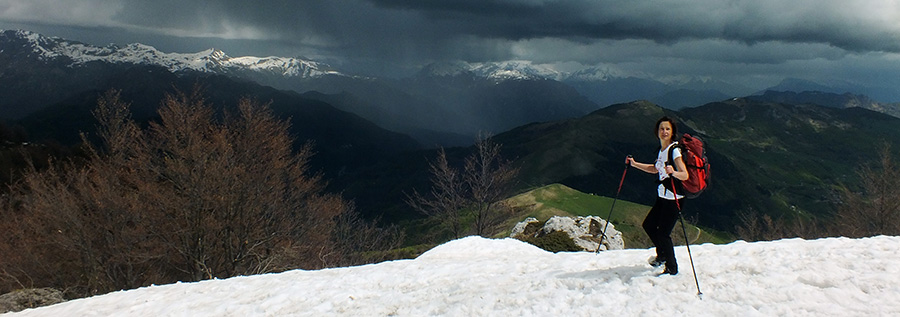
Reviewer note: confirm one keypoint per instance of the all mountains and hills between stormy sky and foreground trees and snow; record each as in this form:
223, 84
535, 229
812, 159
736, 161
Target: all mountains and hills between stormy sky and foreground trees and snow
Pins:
774, 151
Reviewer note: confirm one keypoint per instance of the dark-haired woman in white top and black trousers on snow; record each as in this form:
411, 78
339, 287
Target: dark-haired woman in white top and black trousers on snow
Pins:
662, 217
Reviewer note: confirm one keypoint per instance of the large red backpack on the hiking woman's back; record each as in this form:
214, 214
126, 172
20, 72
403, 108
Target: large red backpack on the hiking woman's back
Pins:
693, 154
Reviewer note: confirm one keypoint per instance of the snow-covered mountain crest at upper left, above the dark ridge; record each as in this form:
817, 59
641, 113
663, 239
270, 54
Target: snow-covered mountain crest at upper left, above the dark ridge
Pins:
210, 61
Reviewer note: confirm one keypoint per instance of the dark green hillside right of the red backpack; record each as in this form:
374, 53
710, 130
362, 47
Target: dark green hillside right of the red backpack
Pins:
789, 160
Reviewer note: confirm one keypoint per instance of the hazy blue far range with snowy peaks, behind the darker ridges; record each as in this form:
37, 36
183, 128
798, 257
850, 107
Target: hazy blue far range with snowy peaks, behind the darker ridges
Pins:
444, 104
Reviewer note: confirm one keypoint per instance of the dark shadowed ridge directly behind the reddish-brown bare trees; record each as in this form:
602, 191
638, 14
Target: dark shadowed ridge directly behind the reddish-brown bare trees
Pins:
343, 141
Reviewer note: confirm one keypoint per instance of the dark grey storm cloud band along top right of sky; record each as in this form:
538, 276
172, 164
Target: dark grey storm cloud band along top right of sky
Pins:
851, 25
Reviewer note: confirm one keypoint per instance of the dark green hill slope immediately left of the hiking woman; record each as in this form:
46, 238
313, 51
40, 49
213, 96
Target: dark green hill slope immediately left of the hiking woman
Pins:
594, 144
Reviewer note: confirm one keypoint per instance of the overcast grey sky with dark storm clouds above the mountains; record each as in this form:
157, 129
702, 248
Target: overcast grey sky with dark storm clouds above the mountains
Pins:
754, 43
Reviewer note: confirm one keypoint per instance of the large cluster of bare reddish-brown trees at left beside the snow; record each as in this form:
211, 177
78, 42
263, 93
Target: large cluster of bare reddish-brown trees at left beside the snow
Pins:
195, 196
